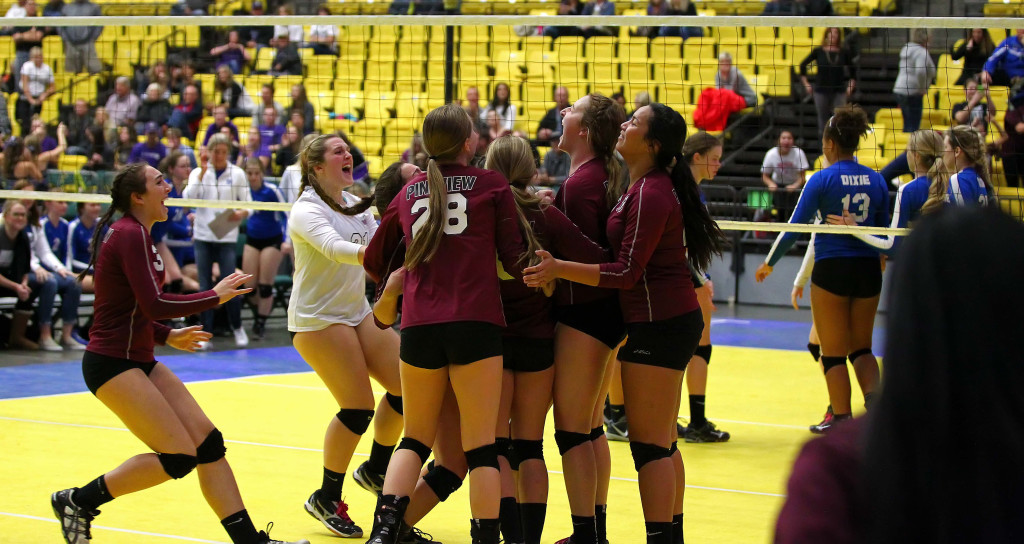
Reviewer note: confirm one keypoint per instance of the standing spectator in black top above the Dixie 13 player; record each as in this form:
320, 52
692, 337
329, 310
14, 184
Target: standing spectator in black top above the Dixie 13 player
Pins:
836, 79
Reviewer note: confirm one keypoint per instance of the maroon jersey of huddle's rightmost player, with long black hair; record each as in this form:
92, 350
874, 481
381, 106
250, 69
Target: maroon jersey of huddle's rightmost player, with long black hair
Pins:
646, 230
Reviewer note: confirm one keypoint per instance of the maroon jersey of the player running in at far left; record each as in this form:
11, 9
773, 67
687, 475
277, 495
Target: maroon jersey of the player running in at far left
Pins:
129, 275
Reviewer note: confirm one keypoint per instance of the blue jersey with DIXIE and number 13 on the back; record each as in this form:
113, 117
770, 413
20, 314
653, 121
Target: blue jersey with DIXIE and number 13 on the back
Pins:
845, 186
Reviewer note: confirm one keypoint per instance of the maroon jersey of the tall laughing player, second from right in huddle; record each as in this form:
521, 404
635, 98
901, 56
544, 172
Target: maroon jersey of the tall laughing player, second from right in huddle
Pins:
583, 199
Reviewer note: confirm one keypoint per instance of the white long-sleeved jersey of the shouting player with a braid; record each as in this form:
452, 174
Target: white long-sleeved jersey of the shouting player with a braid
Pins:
329, 285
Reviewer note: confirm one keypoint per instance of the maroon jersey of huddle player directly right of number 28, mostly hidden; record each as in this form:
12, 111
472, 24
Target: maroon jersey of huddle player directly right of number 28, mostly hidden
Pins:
527, 310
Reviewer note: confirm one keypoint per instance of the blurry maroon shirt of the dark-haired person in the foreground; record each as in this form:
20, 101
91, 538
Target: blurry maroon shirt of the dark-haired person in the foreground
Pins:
826, 498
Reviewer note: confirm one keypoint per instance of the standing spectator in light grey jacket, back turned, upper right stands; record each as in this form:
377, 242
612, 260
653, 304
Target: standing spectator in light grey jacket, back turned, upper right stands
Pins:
917, 70
